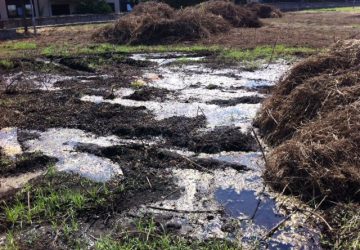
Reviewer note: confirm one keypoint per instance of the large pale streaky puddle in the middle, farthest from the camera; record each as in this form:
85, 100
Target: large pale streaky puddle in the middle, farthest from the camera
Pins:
194, 86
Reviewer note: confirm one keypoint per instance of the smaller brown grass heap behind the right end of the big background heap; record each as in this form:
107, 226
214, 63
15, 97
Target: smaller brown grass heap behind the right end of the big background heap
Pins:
236, 15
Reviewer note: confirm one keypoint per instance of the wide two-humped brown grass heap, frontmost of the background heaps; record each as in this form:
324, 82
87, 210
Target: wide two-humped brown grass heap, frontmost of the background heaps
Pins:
188, 24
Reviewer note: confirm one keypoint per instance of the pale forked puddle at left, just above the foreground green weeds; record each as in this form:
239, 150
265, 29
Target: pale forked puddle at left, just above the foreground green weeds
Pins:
61, 143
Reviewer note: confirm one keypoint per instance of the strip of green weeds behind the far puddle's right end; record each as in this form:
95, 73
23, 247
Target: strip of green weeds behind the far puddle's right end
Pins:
263, 52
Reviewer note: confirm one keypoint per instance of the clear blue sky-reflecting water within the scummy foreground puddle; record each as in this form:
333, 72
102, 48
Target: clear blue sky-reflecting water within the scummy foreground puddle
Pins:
247, 203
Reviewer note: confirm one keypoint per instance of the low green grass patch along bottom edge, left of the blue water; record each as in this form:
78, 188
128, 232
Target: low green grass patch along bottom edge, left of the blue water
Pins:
149, 235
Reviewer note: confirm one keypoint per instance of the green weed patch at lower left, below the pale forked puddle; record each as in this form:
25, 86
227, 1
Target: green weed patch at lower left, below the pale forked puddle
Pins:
55, 197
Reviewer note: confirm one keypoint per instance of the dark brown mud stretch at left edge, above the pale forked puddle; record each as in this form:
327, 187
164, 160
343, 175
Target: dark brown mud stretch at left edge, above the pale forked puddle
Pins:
42, 110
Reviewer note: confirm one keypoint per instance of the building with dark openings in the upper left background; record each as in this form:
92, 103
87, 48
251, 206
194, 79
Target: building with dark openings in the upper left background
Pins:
44, 8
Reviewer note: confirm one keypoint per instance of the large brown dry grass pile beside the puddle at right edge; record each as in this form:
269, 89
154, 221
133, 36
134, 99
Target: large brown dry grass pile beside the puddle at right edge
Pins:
313, 119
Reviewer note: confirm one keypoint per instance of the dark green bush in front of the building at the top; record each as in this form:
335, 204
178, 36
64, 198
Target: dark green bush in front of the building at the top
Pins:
93, 7
